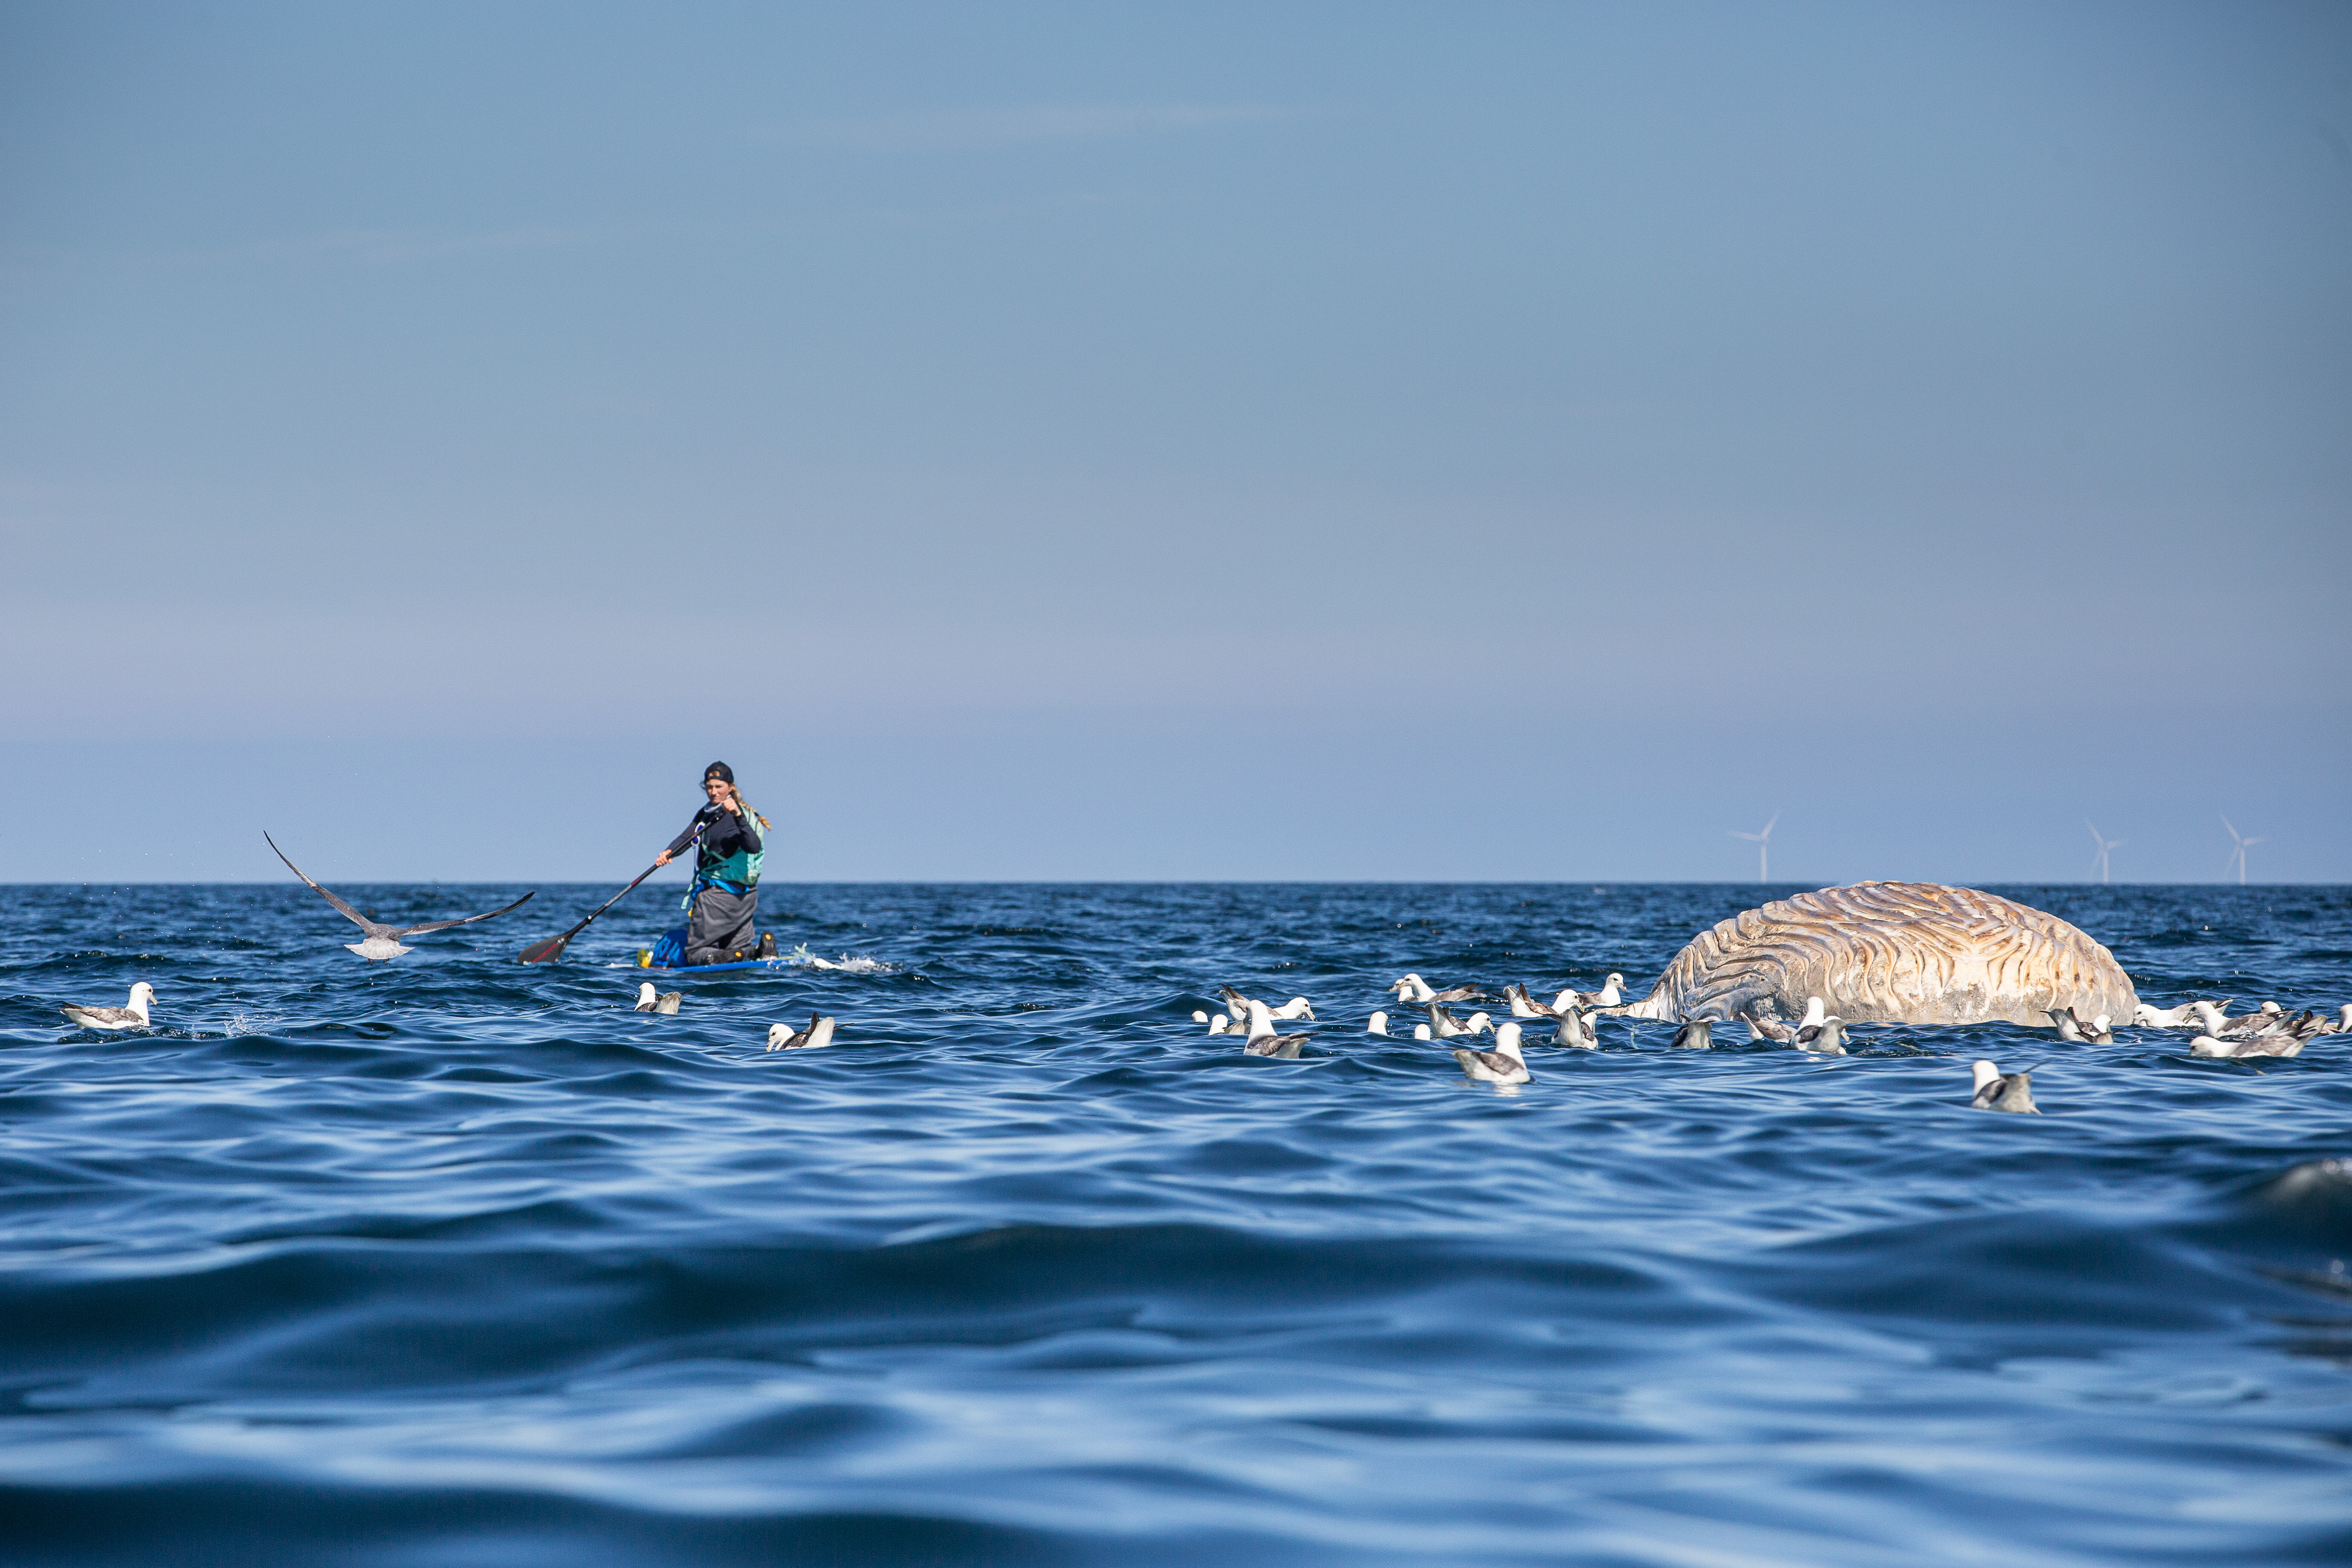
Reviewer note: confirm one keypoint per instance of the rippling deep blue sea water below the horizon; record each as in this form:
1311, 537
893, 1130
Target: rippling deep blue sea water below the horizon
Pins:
453, 1261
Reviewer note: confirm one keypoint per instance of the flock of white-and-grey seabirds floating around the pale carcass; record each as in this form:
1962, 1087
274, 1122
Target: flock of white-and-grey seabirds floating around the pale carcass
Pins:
2269, 1031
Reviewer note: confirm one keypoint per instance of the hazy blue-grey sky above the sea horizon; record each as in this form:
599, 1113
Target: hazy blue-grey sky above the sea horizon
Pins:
1196, 443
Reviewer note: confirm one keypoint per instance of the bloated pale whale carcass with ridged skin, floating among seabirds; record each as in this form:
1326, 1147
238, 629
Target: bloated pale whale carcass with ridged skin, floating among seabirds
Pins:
1892, 953
